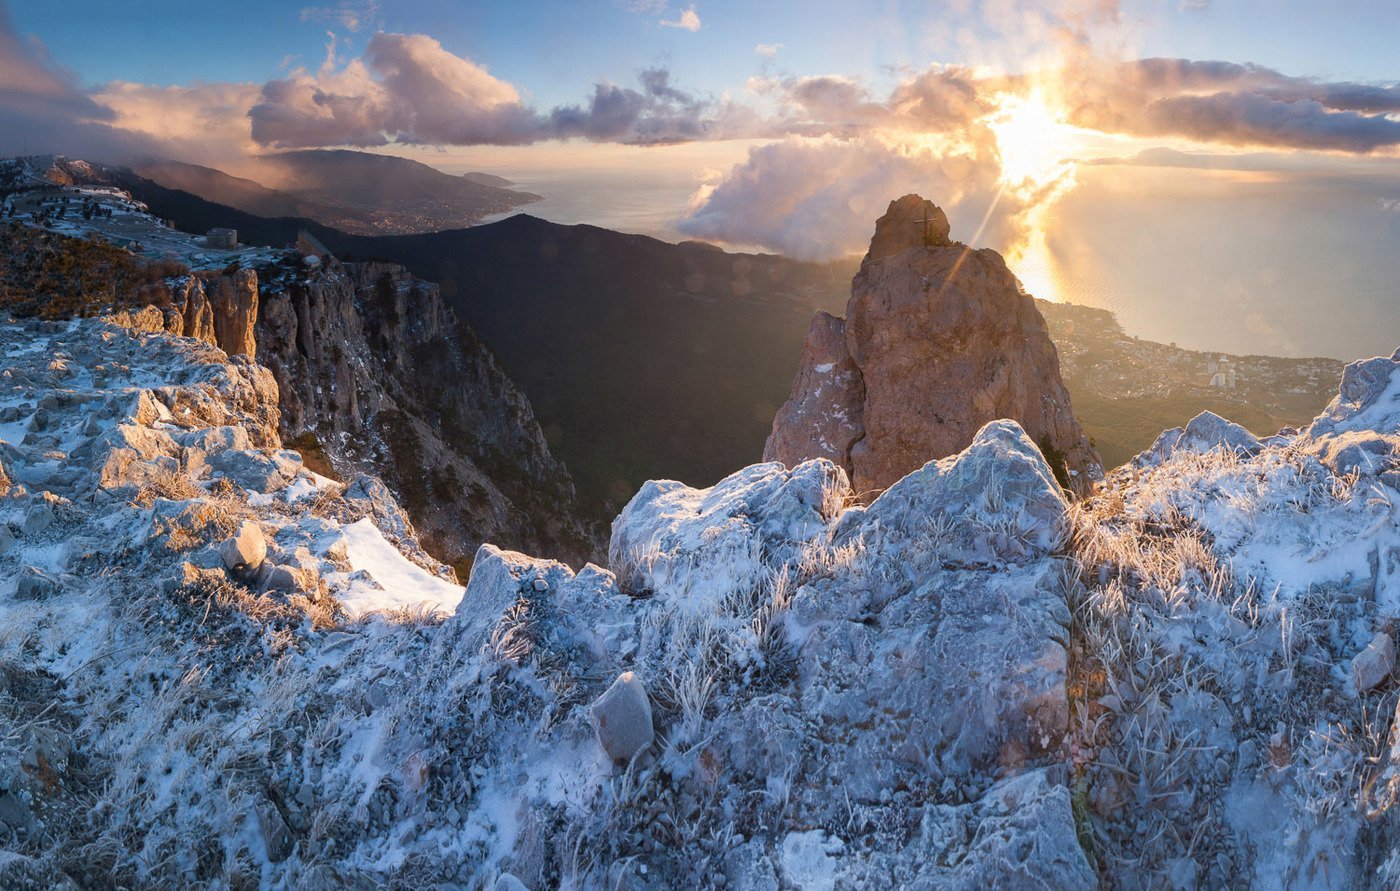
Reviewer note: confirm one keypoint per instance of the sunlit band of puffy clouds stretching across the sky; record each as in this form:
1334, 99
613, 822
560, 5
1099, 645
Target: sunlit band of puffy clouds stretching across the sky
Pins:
832, 141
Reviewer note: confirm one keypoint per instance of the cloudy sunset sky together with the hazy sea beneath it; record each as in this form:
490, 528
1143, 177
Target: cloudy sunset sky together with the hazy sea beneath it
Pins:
786, 127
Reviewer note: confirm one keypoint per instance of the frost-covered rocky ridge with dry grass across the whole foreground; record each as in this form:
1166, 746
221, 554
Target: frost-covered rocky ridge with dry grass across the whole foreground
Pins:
250, 675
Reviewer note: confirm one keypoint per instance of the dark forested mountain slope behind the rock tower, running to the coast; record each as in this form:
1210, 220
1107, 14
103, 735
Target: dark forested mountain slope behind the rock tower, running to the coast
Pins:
692, 386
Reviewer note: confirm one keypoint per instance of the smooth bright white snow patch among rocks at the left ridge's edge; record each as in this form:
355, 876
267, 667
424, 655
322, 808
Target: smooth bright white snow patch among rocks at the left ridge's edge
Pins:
402, 583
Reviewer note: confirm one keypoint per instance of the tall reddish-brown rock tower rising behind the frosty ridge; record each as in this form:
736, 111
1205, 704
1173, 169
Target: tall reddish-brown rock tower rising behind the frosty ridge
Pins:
939, 340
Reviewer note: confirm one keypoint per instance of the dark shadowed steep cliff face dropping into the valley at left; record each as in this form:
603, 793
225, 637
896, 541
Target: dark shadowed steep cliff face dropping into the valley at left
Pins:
376, 371
